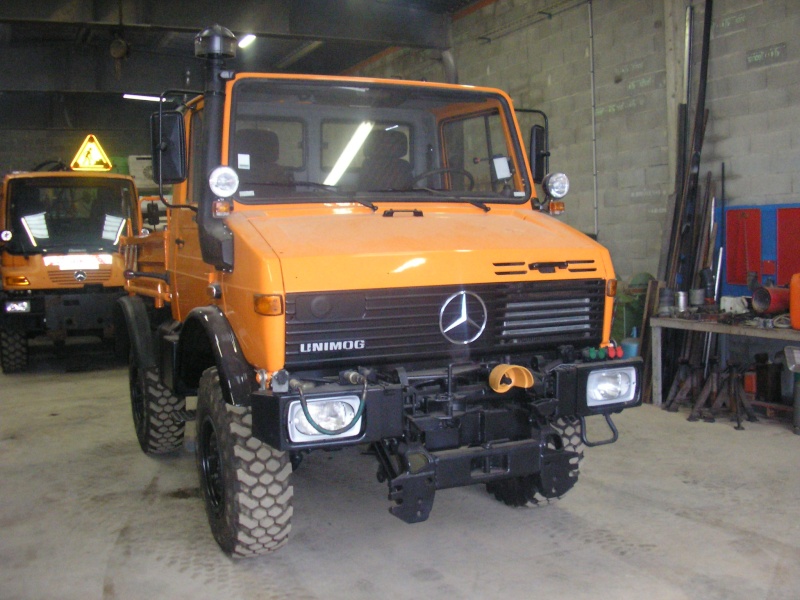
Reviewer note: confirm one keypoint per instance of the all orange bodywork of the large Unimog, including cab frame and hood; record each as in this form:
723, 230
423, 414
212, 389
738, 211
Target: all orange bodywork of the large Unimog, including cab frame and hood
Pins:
284, 248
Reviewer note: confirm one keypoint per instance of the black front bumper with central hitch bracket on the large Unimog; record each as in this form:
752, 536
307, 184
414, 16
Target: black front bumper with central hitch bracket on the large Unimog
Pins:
506, 436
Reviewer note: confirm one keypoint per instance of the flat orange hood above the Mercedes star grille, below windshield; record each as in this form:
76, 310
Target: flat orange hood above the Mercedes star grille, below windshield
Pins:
364, 250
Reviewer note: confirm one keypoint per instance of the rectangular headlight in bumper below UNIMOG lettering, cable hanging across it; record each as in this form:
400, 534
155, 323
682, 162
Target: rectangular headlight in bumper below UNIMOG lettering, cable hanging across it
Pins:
328, 413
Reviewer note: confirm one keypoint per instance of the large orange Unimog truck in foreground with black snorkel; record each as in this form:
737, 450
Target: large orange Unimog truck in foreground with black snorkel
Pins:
363, 262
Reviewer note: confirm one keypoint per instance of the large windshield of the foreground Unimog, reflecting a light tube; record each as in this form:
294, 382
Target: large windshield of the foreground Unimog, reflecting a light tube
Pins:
353, 140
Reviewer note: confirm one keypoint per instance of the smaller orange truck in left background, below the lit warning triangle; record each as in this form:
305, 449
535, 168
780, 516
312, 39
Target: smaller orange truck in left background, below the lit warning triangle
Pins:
61, 270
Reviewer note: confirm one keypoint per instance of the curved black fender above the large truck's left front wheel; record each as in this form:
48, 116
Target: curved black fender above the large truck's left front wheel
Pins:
207, 339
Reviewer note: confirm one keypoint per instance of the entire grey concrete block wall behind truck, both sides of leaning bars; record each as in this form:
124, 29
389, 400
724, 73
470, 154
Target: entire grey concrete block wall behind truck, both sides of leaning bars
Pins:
543, 62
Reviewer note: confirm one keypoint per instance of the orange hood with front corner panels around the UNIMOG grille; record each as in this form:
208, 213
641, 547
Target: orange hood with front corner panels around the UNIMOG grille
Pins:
316, 248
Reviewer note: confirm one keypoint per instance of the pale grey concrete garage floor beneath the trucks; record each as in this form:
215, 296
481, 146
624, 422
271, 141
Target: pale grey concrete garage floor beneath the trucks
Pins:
673, 510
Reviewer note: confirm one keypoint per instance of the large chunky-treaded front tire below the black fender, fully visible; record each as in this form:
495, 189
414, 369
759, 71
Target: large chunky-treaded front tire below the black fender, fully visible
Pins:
245, 483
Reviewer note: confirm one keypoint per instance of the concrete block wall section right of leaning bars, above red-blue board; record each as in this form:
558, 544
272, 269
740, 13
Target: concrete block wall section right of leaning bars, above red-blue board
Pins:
753, 98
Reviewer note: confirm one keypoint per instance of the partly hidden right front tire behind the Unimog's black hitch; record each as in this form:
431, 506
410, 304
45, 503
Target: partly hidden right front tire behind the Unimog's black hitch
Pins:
531, 491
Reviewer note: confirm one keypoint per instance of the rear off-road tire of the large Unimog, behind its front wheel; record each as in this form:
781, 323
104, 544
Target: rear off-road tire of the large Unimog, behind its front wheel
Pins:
159, 427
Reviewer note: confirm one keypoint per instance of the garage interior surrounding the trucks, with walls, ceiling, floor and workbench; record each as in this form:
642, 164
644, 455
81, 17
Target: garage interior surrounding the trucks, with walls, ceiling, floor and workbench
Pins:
677, 124
